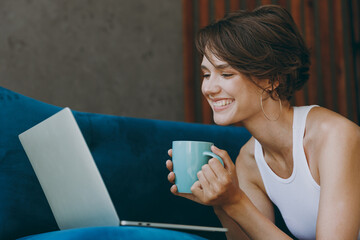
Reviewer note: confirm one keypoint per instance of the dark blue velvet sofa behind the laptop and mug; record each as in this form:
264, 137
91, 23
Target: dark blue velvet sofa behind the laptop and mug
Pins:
130, 154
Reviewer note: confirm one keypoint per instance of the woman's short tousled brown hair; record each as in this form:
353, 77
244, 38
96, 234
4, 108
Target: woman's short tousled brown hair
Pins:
264, 43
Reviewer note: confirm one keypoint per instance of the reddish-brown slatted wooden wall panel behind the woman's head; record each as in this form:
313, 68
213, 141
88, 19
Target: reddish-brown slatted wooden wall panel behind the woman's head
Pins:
331, 30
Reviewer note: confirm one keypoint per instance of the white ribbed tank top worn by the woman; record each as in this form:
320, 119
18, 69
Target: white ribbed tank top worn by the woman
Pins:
297, 197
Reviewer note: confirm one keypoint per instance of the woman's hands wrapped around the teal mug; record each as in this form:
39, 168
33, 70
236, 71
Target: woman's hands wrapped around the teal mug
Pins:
217, 184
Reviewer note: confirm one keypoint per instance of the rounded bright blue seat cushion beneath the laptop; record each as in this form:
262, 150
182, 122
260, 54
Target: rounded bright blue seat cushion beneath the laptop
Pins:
112, 233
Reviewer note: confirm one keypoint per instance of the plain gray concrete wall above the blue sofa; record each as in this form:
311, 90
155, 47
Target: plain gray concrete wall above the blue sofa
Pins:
121, 57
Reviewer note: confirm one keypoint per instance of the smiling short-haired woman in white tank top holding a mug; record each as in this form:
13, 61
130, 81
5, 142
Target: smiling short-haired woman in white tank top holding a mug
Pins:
305, 160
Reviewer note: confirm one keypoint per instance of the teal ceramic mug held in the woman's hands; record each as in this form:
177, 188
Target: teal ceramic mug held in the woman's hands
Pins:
188, 157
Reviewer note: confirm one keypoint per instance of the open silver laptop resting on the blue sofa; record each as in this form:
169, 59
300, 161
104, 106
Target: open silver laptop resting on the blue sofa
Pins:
70, 178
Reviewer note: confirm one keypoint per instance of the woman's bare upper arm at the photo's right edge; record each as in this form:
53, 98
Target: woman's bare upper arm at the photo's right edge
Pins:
338, 155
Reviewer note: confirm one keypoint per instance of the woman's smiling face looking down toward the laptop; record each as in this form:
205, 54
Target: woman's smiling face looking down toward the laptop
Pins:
232, 96
